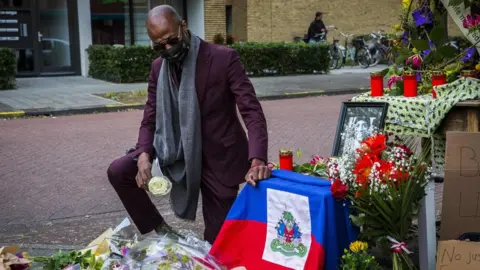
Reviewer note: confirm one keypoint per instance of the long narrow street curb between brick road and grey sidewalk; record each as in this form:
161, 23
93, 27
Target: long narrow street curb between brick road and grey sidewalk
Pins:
139, 106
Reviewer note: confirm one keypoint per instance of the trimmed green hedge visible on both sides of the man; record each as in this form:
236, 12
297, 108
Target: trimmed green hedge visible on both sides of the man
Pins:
132, 64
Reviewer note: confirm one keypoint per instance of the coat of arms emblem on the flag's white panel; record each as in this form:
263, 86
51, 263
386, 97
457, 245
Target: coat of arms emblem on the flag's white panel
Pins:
289, 241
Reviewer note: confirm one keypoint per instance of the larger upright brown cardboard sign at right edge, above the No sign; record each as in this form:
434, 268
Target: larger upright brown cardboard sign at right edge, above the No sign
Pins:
461, 190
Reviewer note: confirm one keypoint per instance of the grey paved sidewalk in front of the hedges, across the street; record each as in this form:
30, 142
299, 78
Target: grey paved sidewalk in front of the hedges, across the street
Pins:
61, 93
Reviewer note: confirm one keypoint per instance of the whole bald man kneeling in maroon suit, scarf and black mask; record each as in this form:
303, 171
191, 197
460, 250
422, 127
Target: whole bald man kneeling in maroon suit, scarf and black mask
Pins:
190, 126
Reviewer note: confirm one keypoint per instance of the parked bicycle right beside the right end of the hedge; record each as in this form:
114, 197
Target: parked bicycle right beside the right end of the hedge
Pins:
358, 52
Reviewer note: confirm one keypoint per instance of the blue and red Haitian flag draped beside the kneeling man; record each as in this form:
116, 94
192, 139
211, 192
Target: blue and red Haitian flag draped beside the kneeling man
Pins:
289, 221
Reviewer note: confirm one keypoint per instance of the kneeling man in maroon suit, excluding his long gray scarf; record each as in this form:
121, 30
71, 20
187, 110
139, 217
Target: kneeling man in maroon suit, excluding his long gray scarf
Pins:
228, 158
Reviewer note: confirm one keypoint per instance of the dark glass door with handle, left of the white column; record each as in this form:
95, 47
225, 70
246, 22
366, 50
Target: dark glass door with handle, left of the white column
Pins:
54, 27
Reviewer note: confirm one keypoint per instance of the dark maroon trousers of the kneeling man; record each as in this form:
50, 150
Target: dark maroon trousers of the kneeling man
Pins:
145, 215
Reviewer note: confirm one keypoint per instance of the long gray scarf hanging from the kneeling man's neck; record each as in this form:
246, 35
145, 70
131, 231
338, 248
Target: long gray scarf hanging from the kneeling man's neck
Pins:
178, 137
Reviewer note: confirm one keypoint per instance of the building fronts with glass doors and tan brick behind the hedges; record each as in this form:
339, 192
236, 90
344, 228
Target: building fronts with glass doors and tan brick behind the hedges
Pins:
51, 36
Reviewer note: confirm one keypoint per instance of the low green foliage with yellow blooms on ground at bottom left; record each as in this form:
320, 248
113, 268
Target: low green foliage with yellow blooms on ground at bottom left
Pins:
60, 260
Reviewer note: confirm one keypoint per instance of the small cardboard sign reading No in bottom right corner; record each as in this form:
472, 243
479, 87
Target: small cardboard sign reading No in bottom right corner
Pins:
456, 255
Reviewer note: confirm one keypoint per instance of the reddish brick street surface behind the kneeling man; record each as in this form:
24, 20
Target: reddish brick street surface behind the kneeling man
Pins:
54, 169
